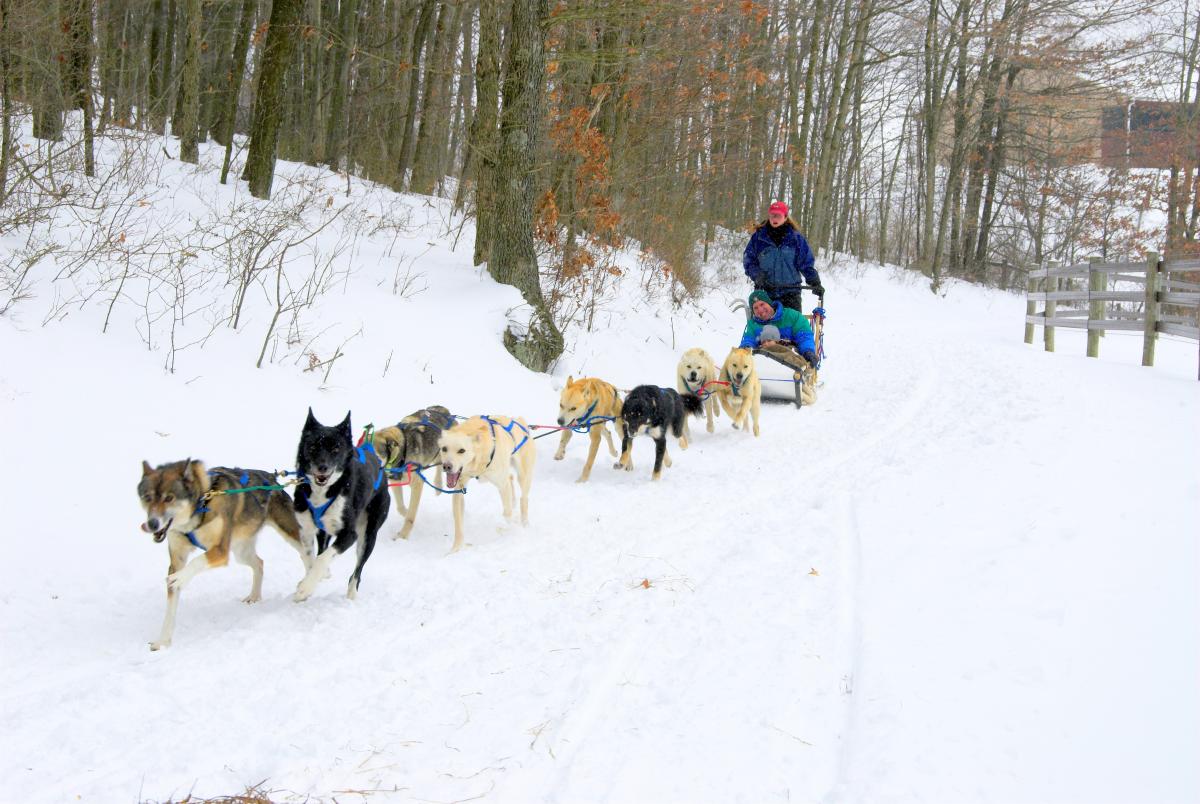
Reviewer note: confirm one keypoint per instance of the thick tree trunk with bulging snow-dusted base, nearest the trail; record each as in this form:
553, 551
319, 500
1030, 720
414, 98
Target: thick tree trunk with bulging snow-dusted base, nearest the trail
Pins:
514, 261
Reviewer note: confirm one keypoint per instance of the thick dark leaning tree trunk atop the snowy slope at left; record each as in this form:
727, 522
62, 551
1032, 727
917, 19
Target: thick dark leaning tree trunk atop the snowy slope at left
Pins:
265, 133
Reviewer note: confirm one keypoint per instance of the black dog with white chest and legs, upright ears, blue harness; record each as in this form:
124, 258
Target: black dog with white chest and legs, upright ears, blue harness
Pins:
343, 499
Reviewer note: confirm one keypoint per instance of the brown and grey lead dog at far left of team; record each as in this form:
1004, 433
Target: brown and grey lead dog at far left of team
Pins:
191, 509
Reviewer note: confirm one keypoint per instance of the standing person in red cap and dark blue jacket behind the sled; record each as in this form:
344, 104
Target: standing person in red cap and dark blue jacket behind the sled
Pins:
778, 259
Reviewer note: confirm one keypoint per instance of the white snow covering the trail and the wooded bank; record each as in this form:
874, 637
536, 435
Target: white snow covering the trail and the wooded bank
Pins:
969, 574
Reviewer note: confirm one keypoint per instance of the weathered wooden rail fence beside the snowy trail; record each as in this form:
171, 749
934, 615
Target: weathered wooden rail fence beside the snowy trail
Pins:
1165, 302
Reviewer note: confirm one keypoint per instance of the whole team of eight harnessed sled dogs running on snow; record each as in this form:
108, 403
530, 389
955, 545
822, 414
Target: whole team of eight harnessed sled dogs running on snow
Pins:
341, 499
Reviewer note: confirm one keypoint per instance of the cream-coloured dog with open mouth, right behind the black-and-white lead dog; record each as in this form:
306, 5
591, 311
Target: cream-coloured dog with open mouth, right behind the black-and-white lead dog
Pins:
489, 448
